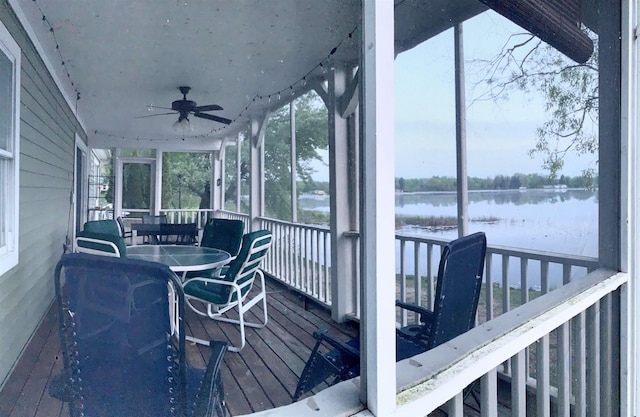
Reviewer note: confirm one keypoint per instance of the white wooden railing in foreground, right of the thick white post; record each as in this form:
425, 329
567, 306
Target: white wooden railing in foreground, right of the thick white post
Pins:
566, 340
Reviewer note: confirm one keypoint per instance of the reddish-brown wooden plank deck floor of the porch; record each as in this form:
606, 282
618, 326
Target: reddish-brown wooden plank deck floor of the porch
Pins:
262, 376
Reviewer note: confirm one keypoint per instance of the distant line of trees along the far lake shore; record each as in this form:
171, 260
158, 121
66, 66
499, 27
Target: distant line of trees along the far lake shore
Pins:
499, 182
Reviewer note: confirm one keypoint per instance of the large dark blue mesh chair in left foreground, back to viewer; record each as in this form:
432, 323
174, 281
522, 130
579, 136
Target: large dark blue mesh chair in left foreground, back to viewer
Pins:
121, 354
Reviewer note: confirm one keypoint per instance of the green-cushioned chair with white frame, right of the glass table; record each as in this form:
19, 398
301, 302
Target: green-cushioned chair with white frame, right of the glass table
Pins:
213, 297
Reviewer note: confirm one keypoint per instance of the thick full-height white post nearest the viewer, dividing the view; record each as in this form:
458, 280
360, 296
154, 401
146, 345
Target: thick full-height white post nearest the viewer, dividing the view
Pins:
378, 382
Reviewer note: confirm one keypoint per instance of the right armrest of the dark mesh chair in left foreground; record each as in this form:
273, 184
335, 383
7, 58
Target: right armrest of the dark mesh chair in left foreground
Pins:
210, 394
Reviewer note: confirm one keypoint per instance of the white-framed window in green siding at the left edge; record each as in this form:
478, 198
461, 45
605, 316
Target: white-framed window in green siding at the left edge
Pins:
9, 149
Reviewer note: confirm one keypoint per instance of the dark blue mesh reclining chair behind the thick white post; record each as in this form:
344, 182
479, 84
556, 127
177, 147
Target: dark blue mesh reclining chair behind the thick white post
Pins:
457, 294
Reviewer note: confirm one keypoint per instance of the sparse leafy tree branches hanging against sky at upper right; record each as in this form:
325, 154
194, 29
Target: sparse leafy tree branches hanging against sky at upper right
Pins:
569, 89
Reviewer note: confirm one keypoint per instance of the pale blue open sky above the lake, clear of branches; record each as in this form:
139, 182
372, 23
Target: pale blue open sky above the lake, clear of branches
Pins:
499, 134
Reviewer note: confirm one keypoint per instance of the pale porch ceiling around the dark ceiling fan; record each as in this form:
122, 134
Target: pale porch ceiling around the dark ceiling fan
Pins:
124, 55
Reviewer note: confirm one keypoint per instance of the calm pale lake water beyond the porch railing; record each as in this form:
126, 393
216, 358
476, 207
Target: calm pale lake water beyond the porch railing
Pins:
560, 221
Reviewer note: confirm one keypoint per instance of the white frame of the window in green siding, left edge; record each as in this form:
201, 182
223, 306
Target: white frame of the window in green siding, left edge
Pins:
10, 166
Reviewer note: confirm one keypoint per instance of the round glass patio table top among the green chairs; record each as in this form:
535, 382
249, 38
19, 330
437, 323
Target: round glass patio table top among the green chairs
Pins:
181, 259
